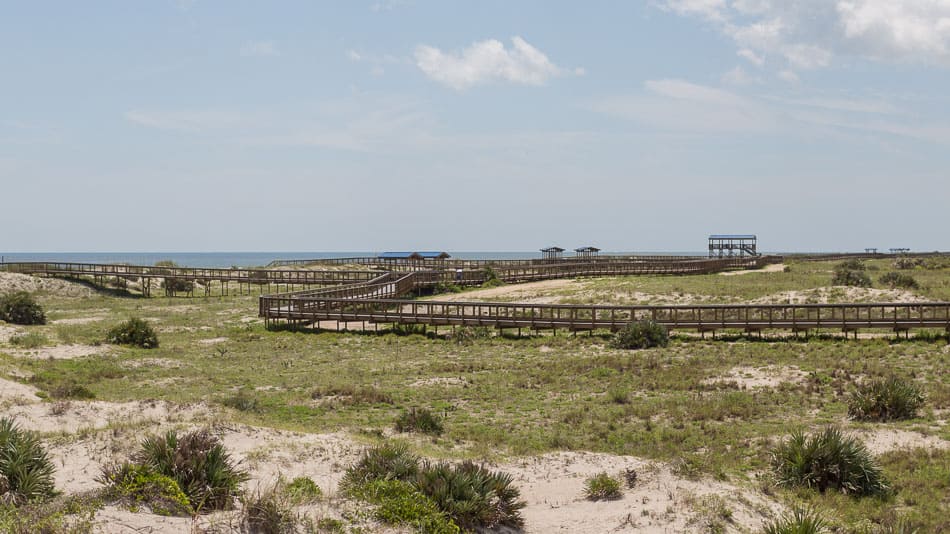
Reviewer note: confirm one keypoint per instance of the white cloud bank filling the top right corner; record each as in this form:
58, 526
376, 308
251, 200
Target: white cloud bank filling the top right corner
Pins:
791, 36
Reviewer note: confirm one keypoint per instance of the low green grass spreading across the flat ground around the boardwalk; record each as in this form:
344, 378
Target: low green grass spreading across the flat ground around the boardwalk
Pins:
506, 396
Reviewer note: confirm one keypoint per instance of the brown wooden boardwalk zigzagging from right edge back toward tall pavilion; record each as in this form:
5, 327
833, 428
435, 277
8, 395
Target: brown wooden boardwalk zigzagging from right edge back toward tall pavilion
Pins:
379, 301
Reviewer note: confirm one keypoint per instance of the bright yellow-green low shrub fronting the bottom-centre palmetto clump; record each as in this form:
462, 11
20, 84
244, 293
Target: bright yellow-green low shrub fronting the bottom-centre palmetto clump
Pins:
400, 503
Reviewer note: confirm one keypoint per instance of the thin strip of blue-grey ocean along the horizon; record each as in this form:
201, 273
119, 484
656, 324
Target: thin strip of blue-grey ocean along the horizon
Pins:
254, 259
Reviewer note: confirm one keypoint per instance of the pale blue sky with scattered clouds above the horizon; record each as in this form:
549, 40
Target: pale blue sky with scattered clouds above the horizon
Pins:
199, 125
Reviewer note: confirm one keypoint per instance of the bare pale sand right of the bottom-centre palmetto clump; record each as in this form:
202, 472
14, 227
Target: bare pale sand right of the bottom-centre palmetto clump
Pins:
661, 502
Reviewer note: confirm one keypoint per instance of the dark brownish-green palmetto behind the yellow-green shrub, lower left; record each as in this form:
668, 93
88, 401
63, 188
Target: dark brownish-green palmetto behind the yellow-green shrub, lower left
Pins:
200, 465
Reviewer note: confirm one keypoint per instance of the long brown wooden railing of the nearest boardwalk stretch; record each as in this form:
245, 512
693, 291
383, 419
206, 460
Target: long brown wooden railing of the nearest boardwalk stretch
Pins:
795, 317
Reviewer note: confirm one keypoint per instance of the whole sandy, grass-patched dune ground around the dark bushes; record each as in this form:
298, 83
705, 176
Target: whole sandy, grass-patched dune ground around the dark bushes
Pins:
691, 428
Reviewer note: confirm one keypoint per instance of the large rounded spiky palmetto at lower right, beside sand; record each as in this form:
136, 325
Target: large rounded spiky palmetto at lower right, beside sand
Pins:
826, 460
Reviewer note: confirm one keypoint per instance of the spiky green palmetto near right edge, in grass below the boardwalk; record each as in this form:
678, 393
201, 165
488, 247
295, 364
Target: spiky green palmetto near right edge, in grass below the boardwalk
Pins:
885, 400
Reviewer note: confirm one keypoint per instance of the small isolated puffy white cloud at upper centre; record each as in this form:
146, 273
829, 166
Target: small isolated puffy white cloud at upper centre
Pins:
487, 61
